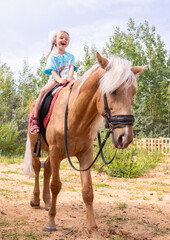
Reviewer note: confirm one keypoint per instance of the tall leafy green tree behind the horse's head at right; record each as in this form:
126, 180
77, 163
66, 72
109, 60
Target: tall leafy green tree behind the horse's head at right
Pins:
142, 46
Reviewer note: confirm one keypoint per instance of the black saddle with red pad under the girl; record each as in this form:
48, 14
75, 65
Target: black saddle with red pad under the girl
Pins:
45, 109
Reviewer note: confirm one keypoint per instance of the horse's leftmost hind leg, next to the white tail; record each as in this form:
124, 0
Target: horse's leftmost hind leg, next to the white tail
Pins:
35, 201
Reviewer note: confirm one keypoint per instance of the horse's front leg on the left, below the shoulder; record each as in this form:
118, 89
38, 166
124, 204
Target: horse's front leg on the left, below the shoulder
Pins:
55, 188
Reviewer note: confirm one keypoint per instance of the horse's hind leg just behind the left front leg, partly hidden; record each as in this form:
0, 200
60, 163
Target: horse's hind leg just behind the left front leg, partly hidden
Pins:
46, 189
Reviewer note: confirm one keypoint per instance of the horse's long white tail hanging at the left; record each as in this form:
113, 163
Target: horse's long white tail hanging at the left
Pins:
28, 168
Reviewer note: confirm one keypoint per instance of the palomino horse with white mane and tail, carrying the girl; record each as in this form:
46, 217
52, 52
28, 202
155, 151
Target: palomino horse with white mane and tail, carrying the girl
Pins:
117, 79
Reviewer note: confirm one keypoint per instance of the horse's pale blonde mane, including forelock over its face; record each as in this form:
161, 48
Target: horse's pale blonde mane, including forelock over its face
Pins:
117, 72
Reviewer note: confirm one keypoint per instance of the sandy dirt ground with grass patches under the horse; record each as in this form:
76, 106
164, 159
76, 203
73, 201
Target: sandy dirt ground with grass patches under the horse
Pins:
125, 209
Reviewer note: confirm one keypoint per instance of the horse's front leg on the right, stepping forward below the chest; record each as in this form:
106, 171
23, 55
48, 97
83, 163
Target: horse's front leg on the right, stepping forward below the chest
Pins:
85, 160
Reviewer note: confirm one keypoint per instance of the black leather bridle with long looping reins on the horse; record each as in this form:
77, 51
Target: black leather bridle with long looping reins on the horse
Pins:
112, 122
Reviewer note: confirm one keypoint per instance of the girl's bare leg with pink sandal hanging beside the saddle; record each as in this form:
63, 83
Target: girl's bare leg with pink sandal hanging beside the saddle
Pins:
34, 121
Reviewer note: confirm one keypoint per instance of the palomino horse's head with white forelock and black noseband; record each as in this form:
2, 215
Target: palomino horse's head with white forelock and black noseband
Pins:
117, 88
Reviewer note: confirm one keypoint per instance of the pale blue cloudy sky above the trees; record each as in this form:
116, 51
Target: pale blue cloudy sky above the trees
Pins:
25, 25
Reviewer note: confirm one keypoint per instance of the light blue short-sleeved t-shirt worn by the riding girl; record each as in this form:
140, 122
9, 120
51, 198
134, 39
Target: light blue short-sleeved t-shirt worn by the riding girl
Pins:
59, 62
